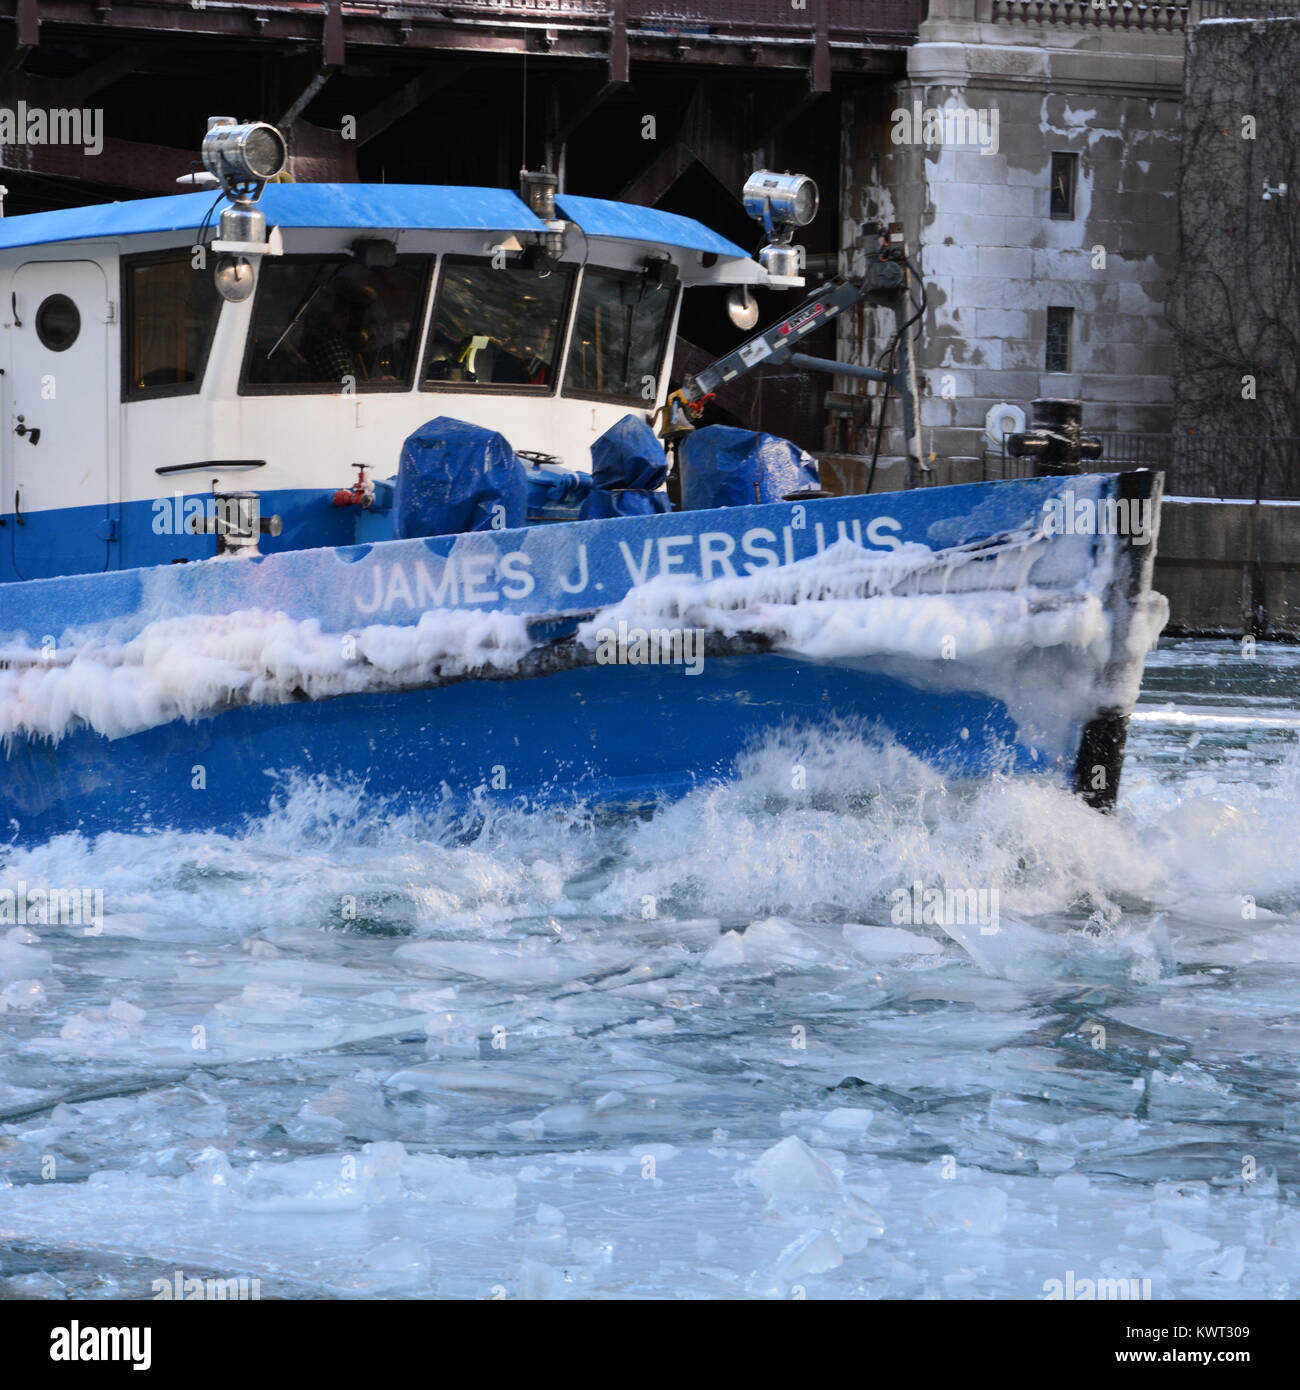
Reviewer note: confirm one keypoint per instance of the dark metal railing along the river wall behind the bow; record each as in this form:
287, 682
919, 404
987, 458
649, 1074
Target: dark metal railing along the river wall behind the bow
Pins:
1260, 469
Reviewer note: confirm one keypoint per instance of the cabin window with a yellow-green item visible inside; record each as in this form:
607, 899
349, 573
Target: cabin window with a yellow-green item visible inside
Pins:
497, 326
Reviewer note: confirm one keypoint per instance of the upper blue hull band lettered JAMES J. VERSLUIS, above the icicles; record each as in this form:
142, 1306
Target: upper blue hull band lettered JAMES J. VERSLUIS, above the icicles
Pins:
571, 568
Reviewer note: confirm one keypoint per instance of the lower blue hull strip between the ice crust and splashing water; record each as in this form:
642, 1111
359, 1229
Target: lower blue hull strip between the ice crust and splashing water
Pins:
411, 750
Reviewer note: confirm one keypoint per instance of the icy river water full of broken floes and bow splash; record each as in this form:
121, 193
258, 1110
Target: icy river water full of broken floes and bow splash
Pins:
701, 1054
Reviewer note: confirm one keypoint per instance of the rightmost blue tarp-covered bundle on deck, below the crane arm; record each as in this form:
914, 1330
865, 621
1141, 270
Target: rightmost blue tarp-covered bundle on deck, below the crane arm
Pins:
725, 468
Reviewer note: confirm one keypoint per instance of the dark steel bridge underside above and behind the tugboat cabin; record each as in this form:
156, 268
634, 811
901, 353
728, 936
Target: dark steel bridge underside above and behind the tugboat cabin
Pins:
639, 101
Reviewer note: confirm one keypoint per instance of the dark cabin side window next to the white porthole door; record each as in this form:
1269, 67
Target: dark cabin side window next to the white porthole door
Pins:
170, 319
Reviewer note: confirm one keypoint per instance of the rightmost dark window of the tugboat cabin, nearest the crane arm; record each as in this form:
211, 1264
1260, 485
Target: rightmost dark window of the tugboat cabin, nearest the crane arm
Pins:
619, 337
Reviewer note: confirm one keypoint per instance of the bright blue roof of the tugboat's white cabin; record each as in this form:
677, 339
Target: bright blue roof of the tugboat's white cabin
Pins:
368, 206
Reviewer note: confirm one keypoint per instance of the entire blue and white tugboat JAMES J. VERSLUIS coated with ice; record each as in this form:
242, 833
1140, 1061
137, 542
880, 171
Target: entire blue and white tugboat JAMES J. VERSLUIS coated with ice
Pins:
362, 483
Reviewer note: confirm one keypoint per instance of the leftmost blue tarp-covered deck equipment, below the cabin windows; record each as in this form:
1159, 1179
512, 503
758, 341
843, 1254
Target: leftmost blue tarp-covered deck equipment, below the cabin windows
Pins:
454, 477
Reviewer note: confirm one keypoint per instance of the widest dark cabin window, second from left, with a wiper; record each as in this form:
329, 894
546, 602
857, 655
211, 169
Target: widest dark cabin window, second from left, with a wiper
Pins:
330, 325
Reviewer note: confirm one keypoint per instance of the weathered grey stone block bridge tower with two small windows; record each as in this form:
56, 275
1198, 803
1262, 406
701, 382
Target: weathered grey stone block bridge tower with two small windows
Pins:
981, 227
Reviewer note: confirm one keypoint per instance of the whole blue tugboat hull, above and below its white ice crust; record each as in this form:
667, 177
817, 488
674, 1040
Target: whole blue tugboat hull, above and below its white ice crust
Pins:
561, 728
